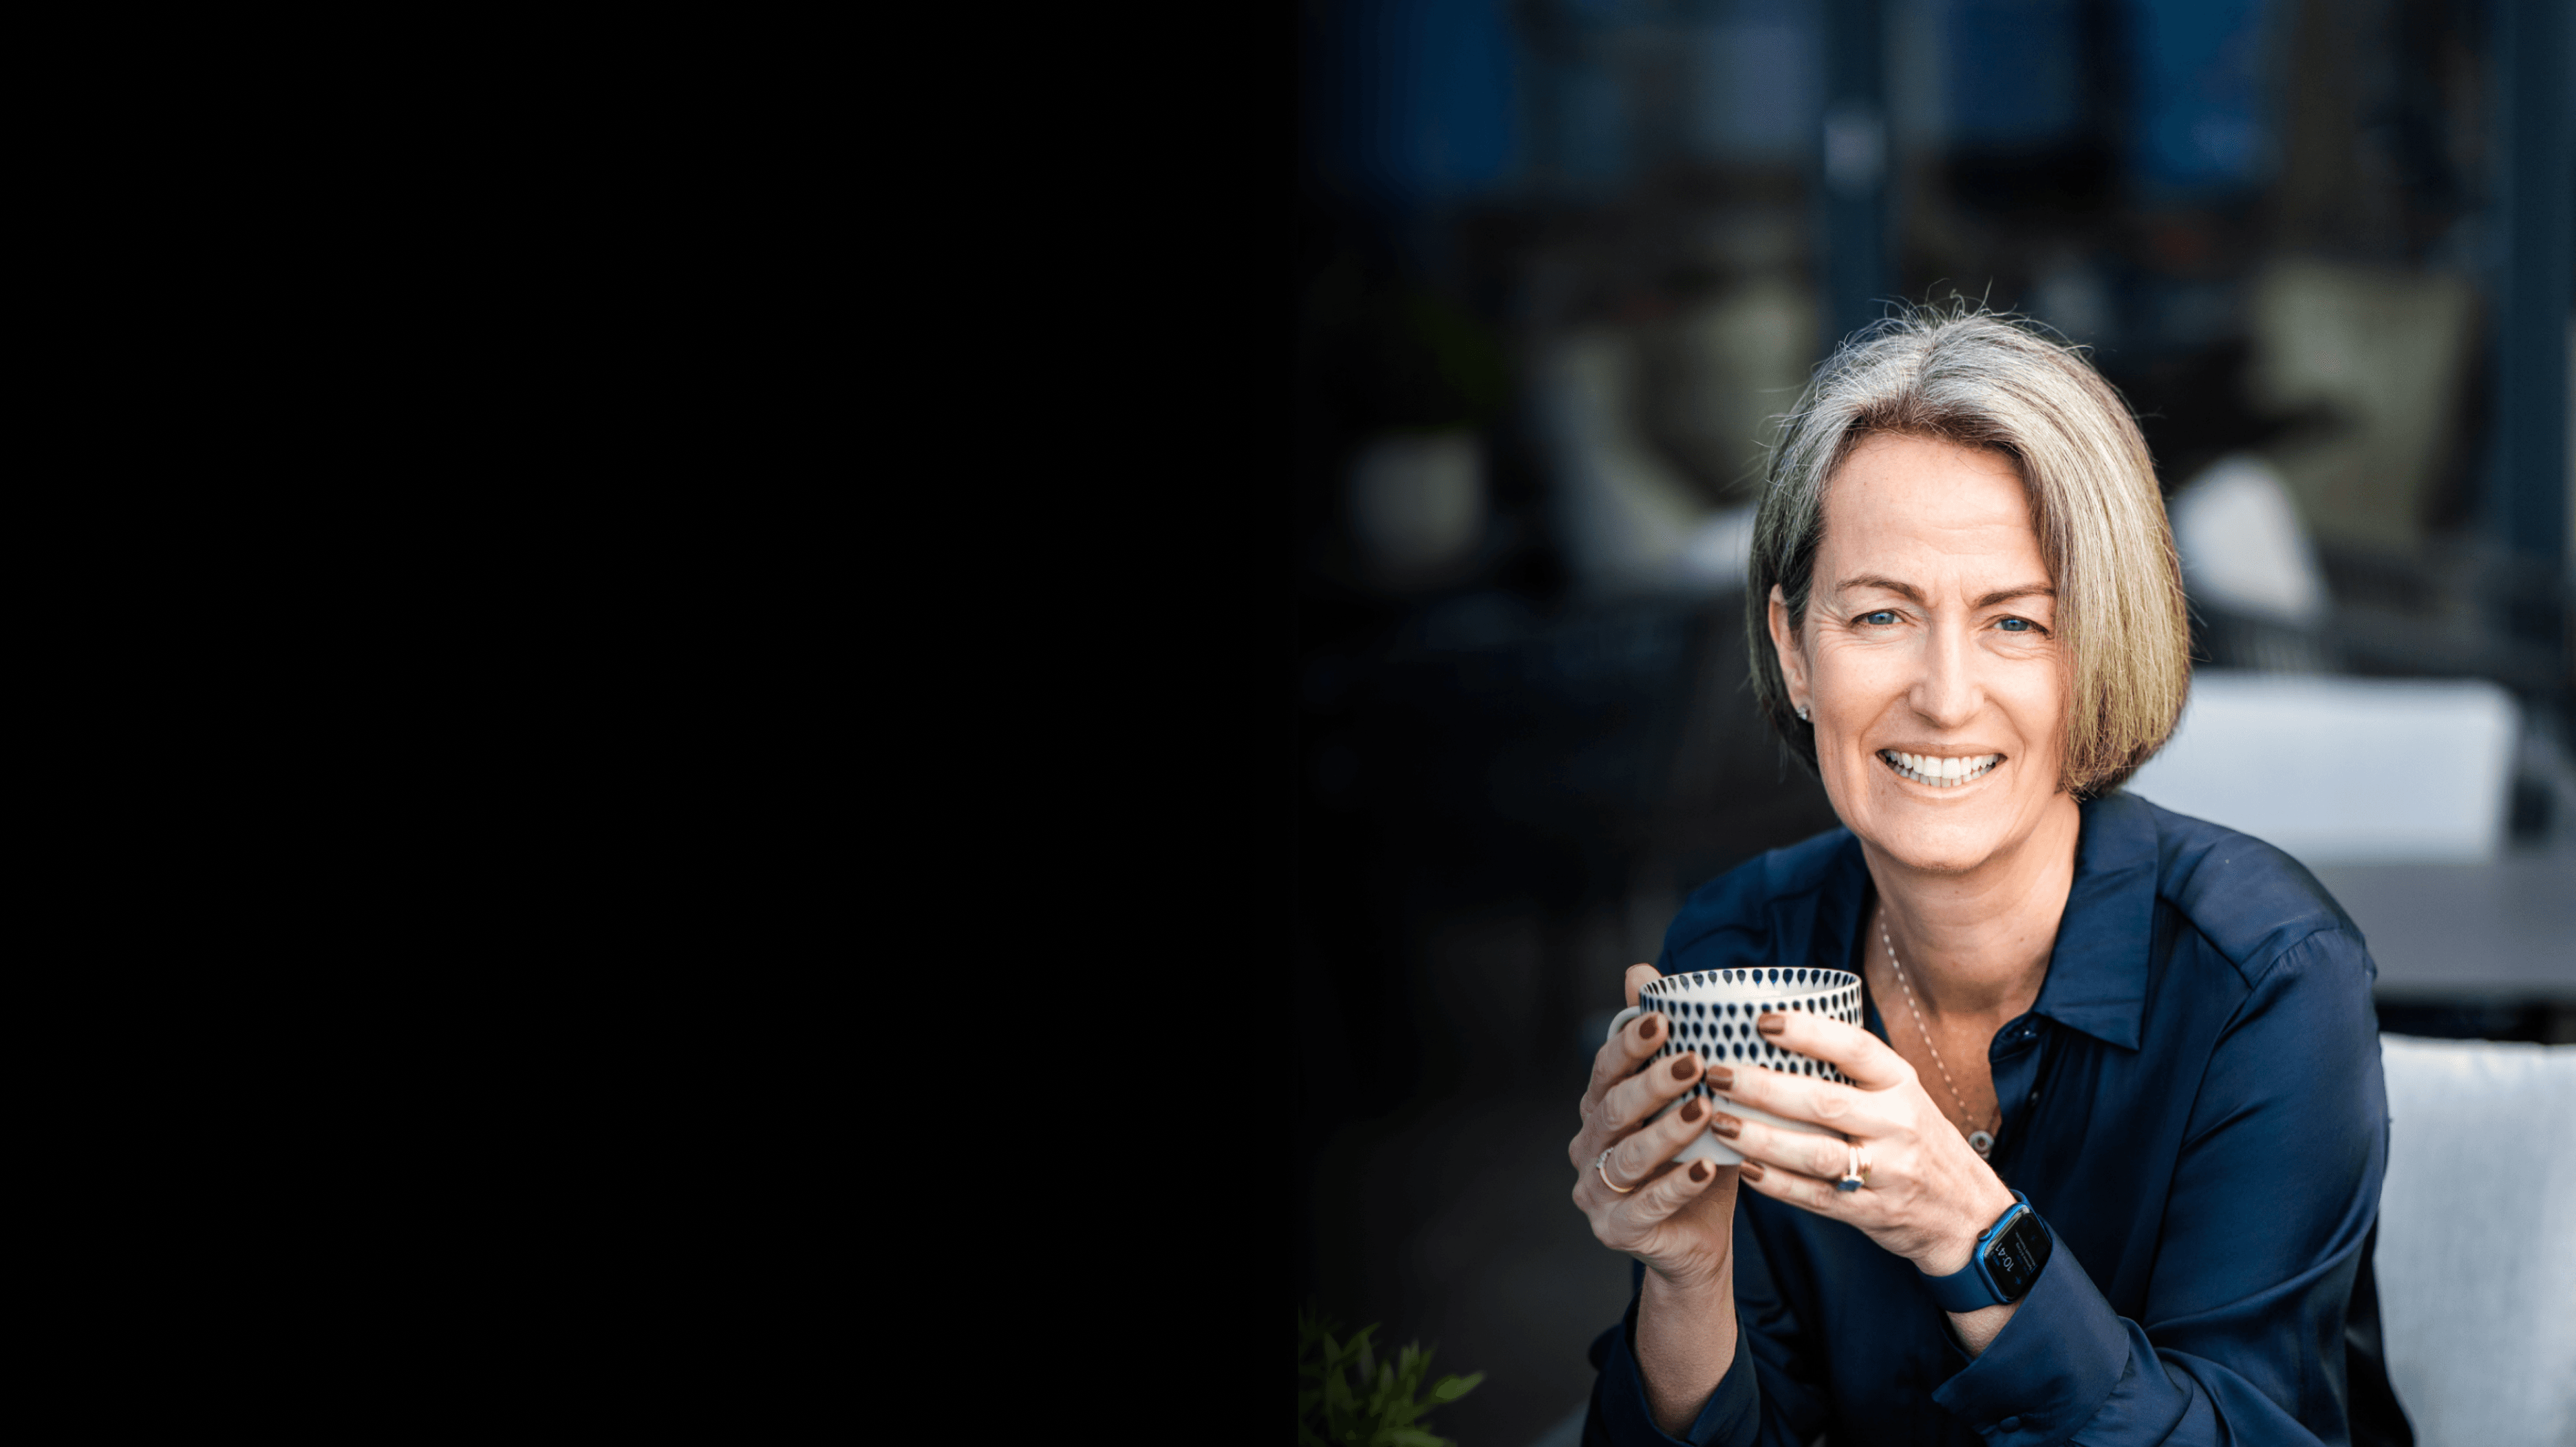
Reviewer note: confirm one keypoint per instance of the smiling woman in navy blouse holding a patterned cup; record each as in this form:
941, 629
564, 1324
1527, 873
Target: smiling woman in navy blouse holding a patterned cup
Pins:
2116, 1168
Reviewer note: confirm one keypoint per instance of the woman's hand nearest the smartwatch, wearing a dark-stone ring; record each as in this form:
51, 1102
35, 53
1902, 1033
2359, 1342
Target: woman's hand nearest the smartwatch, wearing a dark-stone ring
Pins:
1928, 1193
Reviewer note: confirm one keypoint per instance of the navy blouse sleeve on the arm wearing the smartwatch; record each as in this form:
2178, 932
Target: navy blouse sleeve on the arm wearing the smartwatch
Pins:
2260, 1242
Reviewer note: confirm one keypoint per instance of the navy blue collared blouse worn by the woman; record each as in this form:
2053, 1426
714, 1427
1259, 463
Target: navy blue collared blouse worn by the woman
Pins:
2193, 1108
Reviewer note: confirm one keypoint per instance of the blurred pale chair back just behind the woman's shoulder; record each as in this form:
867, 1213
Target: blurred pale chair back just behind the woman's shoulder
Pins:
2345, 769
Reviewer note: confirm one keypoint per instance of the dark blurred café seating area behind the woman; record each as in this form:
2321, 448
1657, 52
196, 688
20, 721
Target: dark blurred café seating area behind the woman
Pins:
1557, 269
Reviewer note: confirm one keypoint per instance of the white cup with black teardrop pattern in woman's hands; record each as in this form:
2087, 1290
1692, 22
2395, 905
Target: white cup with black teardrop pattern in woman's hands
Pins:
1714, 1013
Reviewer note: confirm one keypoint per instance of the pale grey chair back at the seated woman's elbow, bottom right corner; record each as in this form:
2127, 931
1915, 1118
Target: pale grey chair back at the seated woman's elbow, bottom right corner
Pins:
2477, 1263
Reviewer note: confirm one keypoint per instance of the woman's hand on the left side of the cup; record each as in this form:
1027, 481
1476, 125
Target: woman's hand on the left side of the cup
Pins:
1676, 1219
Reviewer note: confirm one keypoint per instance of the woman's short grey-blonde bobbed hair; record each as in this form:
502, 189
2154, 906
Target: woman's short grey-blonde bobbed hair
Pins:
1985, 382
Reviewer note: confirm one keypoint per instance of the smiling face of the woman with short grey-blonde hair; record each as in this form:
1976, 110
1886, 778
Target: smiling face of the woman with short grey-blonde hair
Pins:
1928, 658
